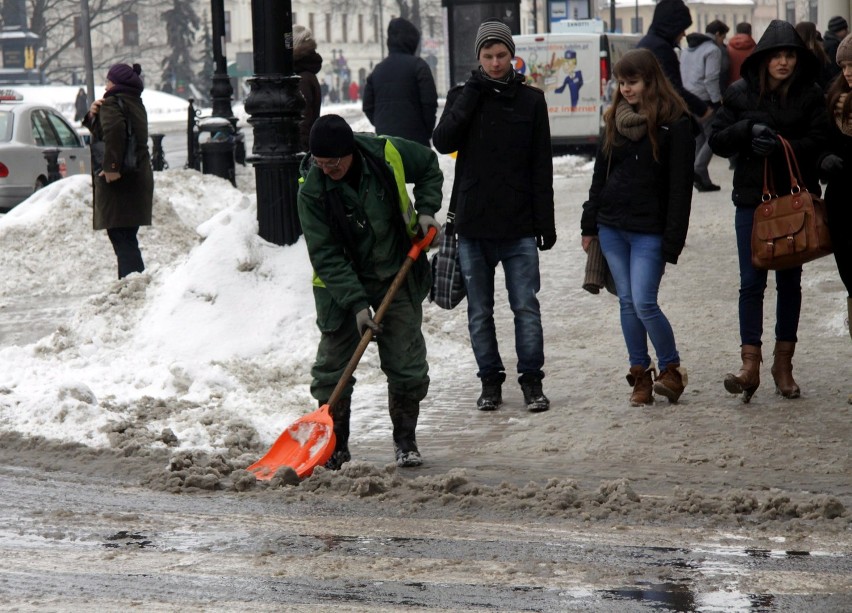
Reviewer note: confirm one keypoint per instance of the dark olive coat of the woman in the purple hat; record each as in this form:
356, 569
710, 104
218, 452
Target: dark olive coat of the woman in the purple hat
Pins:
129, 201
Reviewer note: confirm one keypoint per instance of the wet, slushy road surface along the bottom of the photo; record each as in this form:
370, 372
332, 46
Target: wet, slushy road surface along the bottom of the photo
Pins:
70, 546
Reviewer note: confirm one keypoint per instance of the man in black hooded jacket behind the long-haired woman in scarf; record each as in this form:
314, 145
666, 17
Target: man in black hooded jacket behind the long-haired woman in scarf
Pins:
668, 27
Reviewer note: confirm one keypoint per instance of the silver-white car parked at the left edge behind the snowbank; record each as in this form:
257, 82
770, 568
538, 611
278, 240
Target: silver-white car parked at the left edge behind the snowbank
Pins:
27, 130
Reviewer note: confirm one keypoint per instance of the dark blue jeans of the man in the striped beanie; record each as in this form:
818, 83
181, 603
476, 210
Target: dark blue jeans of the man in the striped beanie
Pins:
519, 257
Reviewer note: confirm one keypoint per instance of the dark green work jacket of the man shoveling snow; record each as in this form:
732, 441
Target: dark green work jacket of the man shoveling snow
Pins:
353, 281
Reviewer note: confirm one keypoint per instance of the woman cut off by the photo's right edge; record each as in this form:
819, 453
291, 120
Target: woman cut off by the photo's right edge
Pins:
835, 169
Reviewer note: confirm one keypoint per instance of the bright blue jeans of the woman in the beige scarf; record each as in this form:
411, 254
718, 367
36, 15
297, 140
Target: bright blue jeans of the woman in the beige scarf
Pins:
637, 266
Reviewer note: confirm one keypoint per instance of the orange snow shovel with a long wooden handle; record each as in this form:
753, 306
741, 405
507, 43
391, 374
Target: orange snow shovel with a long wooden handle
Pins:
309, 441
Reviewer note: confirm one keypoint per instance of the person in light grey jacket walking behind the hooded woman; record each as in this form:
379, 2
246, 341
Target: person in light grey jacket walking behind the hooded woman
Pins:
701, 70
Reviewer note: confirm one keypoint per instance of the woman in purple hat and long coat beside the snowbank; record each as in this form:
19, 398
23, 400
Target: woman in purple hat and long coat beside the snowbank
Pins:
124, 198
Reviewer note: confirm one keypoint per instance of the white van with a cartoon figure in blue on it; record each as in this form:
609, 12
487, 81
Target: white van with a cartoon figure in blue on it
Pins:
574, 71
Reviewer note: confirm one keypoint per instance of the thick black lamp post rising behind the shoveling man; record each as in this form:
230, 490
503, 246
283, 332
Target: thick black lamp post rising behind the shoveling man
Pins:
275, 107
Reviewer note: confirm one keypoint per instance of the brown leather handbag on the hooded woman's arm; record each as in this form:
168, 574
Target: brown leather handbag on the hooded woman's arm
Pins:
788, 230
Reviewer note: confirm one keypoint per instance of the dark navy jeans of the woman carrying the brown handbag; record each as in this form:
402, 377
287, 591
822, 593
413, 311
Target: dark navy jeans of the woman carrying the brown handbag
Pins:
788, 285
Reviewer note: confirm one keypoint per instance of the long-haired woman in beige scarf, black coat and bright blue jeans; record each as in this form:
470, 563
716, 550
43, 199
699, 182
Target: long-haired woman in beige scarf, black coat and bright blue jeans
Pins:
638, 207
